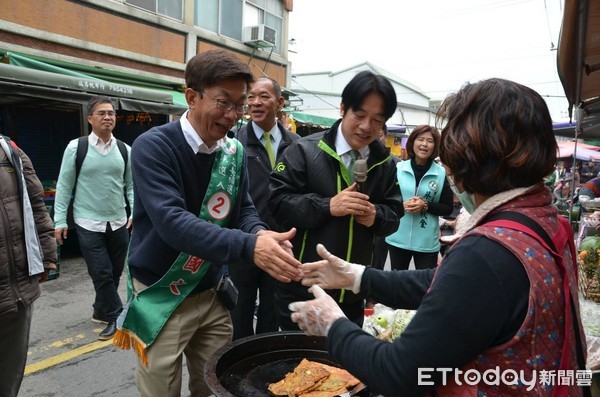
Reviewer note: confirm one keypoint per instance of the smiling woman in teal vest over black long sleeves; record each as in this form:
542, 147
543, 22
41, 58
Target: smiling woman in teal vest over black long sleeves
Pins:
427, 196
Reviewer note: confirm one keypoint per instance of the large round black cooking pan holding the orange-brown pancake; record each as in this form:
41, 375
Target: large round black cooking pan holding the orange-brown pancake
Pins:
246, 367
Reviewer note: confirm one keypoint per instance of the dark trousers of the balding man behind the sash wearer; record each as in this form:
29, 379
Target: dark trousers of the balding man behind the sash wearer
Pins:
249, 280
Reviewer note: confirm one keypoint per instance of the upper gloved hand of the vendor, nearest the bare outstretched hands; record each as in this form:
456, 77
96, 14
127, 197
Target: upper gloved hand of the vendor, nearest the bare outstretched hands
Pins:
332, 272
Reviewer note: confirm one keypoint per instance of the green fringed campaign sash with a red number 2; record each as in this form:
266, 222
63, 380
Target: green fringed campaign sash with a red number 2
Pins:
147, 311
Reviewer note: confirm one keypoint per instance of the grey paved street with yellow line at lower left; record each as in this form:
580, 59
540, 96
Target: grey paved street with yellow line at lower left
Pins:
65, 357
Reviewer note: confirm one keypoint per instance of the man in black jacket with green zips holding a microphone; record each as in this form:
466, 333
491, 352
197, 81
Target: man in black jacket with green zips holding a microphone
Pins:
320, 187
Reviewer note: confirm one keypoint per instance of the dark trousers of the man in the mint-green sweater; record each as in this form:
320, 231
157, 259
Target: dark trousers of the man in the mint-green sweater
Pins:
104, 255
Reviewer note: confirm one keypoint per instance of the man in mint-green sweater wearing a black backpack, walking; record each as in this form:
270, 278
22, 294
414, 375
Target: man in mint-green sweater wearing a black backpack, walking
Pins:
99, 207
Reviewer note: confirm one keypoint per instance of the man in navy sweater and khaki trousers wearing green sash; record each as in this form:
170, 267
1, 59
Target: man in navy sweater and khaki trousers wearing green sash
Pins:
194, 216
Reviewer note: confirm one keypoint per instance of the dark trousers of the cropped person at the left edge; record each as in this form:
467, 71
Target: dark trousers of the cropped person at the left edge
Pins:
14, 342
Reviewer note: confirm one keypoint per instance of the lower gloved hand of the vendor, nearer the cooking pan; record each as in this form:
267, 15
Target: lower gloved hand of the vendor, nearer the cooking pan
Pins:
316, 316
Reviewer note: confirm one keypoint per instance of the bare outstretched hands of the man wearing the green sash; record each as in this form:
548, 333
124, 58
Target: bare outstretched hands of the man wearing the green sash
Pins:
273, 254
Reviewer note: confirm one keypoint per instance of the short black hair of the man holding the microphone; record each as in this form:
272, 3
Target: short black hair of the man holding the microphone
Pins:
365, 83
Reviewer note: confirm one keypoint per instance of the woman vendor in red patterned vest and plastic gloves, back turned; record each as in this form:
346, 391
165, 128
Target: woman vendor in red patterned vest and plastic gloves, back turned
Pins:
500, 315
